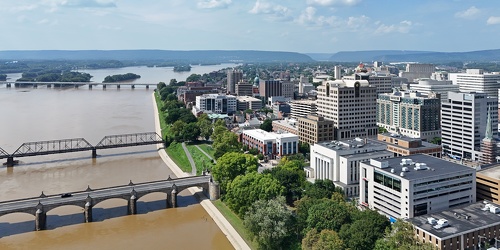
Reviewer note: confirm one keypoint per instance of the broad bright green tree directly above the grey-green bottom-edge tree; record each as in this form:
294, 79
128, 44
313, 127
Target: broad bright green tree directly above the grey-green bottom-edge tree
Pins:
246, 189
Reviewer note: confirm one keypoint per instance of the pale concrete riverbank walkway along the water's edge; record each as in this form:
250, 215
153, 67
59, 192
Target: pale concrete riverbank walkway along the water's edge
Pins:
220, 220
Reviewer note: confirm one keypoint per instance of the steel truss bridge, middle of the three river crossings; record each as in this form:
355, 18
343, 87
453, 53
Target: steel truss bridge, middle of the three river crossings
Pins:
80, 144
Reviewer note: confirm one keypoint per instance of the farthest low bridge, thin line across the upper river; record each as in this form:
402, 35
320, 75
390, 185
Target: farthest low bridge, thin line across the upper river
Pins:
74, 84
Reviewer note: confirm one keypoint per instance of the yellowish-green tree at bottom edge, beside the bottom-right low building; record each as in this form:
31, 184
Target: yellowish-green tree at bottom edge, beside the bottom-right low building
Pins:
400, 235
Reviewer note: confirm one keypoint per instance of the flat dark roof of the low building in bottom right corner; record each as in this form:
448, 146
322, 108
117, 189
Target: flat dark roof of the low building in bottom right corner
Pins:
460, 220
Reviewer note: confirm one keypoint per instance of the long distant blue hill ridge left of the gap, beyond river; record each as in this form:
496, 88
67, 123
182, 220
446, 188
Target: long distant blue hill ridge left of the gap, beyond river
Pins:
192, 56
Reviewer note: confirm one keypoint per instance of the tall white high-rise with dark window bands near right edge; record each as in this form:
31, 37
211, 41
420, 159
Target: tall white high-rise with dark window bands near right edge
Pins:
464, 122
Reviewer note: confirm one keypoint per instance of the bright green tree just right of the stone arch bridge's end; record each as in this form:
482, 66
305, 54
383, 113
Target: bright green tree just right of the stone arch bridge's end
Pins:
231, 165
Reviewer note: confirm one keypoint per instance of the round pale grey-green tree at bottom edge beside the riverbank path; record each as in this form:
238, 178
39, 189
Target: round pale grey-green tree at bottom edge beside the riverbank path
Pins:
270, 223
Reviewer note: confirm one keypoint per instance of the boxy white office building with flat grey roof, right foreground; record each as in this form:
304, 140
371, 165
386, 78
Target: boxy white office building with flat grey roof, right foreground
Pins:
415, 185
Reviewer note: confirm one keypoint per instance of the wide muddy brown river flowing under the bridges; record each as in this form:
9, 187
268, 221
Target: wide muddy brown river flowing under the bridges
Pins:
46, 114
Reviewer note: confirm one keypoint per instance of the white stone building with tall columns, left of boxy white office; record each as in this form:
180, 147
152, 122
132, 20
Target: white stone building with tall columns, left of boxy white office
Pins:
339, 161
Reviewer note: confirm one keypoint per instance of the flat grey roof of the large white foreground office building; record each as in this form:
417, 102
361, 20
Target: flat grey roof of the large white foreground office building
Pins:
429, 166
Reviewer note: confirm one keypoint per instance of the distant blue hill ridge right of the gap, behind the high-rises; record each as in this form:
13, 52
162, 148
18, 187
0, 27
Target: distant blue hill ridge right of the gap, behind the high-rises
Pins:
415, 56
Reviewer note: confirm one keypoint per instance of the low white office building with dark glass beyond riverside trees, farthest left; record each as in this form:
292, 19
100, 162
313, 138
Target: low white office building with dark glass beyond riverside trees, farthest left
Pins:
216, 103
